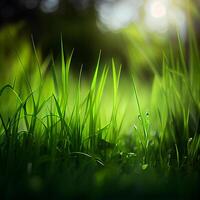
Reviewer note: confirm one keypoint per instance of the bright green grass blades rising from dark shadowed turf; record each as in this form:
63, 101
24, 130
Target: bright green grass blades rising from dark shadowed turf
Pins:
65, 137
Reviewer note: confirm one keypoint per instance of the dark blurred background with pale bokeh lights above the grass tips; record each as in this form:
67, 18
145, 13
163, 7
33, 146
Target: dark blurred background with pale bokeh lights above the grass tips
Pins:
133, 32
